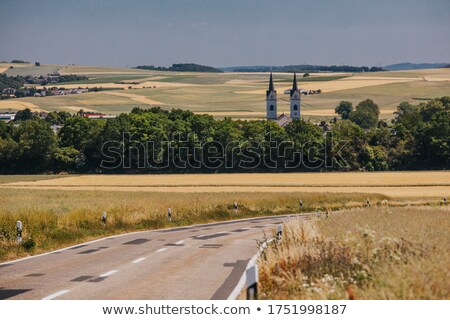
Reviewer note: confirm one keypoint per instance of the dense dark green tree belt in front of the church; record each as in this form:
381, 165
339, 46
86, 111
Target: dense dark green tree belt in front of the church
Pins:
158, 140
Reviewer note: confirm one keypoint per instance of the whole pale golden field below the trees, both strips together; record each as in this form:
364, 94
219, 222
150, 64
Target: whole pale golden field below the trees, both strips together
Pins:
421, 184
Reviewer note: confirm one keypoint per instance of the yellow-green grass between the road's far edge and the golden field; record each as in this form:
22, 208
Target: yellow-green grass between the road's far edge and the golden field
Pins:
54, 219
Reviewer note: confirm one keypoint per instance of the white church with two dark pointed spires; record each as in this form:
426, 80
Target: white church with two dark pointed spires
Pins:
271, 103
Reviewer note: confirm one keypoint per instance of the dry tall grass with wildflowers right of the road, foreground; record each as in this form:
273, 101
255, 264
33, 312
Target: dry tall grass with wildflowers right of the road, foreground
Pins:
377, 253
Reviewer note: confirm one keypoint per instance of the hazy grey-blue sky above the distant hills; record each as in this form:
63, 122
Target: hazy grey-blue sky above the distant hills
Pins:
225, 32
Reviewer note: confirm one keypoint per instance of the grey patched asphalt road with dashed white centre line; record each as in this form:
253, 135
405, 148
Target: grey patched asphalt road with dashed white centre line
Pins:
197, 262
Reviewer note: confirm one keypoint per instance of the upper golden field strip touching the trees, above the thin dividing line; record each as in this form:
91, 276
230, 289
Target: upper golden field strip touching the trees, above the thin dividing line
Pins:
329, 179
